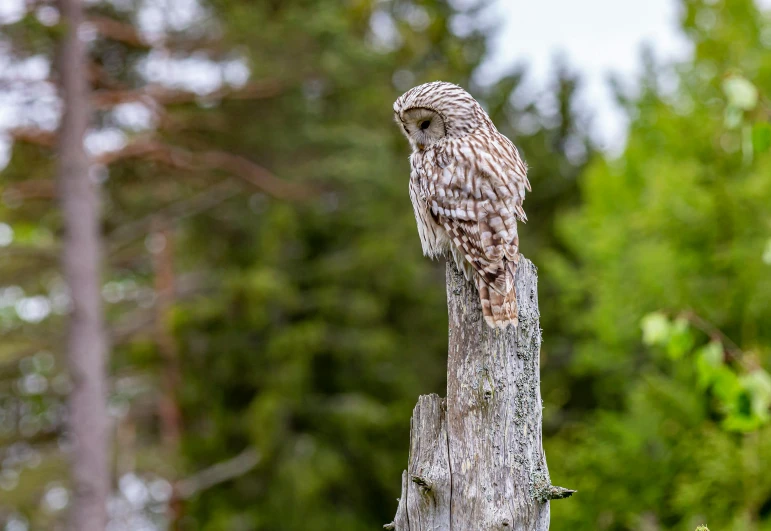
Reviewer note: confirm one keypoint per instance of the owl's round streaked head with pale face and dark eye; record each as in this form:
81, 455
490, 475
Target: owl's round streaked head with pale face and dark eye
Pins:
434, 111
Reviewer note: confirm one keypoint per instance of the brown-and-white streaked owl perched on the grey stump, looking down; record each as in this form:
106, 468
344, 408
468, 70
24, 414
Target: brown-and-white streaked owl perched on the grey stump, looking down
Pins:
467, 184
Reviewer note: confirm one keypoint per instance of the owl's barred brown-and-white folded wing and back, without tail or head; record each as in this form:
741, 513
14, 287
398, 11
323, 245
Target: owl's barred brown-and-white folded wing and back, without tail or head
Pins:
475, 192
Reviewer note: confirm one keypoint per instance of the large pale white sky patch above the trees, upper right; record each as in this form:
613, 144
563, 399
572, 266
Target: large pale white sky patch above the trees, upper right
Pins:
596, 37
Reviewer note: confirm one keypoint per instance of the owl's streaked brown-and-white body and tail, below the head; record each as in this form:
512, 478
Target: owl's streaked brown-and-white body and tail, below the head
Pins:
467, 194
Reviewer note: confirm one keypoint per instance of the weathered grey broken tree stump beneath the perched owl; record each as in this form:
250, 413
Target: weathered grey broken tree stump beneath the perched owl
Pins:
476, 458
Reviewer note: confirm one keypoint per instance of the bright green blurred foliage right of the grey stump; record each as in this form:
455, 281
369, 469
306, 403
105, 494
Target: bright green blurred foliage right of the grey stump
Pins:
665, 420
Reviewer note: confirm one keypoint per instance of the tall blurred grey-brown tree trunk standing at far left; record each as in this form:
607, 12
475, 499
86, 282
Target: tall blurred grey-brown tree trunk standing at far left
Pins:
86, 344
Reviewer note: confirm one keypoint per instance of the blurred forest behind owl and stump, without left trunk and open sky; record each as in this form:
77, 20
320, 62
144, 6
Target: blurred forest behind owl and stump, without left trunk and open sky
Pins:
268, 307
